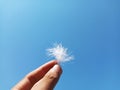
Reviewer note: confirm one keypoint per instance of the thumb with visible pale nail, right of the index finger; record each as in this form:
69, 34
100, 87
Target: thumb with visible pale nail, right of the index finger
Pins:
49, 81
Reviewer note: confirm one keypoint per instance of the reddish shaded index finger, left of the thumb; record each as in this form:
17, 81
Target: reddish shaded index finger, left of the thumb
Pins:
34, 76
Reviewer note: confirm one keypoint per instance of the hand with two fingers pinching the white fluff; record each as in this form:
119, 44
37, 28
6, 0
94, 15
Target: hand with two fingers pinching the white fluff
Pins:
43, 78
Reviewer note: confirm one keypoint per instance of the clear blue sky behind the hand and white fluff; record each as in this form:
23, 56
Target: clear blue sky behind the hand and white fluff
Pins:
89, 28
